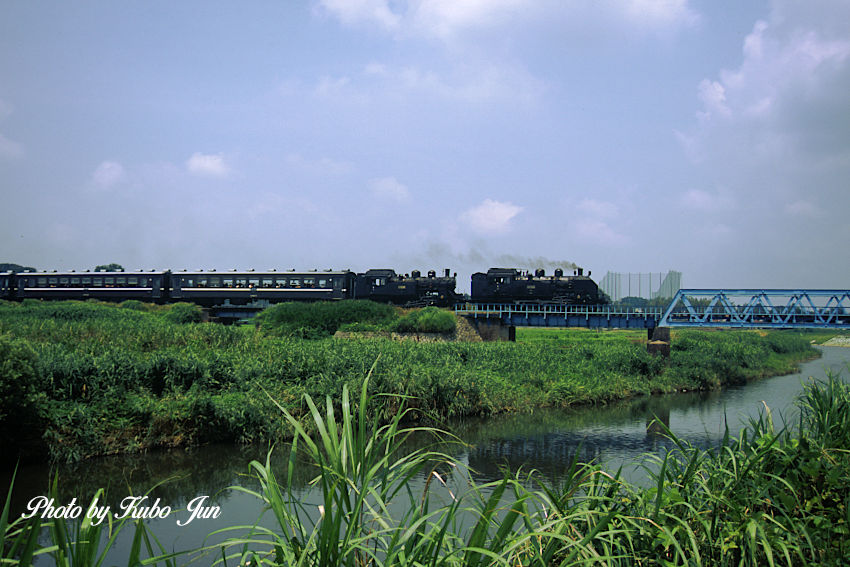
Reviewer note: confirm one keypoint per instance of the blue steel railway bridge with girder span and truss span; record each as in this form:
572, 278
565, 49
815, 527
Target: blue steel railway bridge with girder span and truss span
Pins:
738, 308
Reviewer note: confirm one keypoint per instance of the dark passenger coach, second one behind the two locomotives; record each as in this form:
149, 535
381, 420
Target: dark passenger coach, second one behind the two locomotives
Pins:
105, 286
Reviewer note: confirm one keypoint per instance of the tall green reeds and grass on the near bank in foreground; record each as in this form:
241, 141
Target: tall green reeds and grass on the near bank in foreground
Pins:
766, 497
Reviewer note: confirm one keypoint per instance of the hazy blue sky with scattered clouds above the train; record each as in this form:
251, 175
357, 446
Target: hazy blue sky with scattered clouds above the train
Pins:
710, 137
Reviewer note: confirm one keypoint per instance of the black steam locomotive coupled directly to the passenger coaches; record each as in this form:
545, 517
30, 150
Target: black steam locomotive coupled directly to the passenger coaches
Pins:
385, 286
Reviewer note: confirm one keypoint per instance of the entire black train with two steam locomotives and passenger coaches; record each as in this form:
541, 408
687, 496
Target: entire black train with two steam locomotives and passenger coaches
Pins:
211, 288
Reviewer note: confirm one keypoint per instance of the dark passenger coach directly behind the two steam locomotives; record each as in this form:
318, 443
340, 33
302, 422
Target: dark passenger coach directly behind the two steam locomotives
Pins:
241, 288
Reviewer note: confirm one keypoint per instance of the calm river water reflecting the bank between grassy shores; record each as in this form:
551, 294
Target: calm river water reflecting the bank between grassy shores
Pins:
617, 436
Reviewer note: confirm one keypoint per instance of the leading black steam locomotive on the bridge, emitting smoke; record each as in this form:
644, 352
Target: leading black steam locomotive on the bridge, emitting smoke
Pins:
500, 285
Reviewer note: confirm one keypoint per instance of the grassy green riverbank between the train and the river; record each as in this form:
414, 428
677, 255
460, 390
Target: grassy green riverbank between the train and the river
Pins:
81, 380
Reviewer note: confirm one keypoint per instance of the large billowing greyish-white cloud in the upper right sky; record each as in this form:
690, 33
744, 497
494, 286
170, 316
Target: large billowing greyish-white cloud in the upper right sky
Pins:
775, 129
